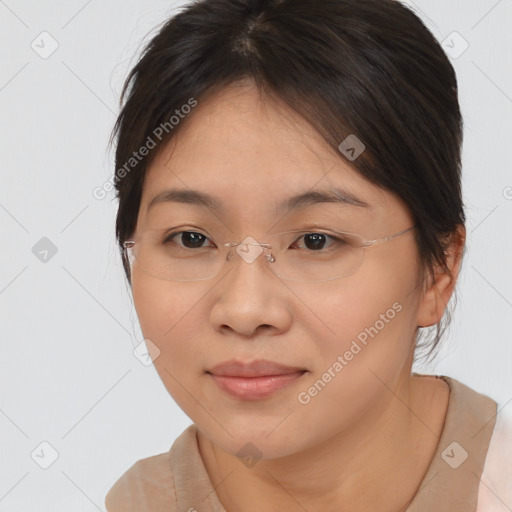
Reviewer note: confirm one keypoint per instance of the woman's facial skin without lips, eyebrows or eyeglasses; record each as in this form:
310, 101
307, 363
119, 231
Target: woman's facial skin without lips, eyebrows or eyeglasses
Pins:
353, 336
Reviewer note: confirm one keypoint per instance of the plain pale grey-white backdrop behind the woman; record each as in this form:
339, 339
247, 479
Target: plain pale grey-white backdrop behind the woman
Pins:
74, 397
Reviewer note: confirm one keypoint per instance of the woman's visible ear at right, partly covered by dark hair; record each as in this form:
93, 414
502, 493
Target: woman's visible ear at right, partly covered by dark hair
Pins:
441, 284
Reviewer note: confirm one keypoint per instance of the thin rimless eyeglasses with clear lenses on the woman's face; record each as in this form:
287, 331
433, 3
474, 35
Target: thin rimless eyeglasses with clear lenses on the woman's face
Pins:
294, 255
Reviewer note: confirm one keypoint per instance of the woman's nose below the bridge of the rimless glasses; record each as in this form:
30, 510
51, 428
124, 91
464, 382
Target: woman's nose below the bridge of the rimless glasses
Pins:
251, 298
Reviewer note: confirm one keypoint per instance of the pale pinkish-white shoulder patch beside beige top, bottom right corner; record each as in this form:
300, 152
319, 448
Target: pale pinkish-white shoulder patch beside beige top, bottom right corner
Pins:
495, 488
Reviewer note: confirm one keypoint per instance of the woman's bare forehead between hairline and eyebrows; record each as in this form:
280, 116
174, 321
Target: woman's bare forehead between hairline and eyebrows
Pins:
249, 151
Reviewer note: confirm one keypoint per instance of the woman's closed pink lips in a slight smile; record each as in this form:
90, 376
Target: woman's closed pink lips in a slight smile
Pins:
255, 380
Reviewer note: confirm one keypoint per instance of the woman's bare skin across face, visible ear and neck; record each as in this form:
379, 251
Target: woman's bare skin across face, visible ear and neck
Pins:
366, 440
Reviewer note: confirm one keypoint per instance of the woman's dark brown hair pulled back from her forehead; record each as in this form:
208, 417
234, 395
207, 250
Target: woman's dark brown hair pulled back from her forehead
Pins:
364, 67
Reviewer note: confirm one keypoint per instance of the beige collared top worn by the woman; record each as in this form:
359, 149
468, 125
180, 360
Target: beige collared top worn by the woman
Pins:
177, 480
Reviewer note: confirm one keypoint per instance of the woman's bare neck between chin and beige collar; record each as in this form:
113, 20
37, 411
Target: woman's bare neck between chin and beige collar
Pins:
377, 464
